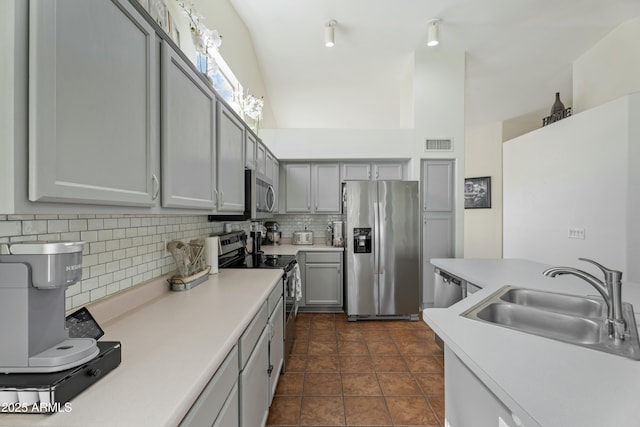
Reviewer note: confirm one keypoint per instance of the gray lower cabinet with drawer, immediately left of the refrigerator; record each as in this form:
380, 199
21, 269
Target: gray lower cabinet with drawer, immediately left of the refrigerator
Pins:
323, 287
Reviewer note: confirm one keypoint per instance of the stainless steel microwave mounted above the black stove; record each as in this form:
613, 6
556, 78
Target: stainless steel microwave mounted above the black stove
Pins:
259, 199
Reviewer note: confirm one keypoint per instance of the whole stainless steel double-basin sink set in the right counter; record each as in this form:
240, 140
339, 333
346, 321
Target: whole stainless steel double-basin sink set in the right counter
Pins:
568, 318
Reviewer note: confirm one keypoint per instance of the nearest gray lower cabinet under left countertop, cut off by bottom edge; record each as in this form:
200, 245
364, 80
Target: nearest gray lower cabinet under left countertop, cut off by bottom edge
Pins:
219, 399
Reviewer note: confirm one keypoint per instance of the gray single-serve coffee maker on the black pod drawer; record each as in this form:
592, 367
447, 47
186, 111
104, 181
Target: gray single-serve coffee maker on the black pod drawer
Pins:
33, 279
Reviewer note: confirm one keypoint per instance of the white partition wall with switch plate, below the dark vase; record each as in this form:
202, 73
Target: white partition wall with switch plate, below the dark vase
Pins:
573, 173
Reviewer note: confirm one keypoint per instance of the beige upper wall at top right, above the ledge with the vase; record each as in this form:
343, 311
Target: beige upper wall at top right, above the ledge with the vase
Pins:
610, 69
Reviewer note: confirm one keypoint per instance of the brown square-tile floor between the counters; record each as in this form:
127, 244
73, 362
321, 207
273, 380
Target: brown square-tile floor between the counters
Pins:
365, 373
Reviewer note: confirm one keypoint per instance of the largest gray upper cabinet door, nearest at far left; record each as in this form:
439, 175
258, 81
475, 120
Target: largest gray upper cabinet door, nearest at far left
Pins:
92, 103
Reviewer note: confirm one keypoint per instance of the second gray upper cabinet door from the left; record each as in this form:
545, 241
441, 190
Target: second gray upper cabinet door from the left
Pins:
188, 135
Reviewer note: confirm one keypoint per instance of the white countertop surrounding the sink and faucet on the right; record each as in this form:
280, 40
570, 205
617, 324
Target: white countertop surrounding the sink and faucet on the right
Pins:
544, 382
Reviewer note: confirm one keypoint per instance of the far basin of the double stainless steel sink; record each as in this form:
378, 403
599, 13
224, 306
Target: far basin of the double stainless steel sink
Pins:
559, 303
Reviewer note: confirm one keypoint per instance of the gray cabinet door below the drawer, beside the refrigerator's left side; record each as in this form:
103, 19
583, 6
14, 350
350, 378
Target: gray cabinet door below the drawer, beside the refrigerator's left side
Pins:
323, 284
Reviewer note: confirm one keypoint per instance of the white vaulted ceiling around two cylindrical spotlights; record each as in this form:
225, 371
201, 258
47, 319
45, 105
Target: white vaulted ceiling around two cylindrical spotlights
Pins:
518, 54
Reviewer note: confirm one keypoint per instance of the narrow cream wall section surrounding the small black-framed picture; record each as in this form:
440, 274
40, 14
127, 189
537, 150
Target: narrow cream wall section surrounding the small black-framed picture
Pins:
483, 227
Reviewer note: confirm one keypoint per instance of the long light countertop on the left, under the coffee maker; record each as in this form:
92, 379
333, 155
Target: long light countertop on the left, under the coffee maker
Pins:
171, 346
